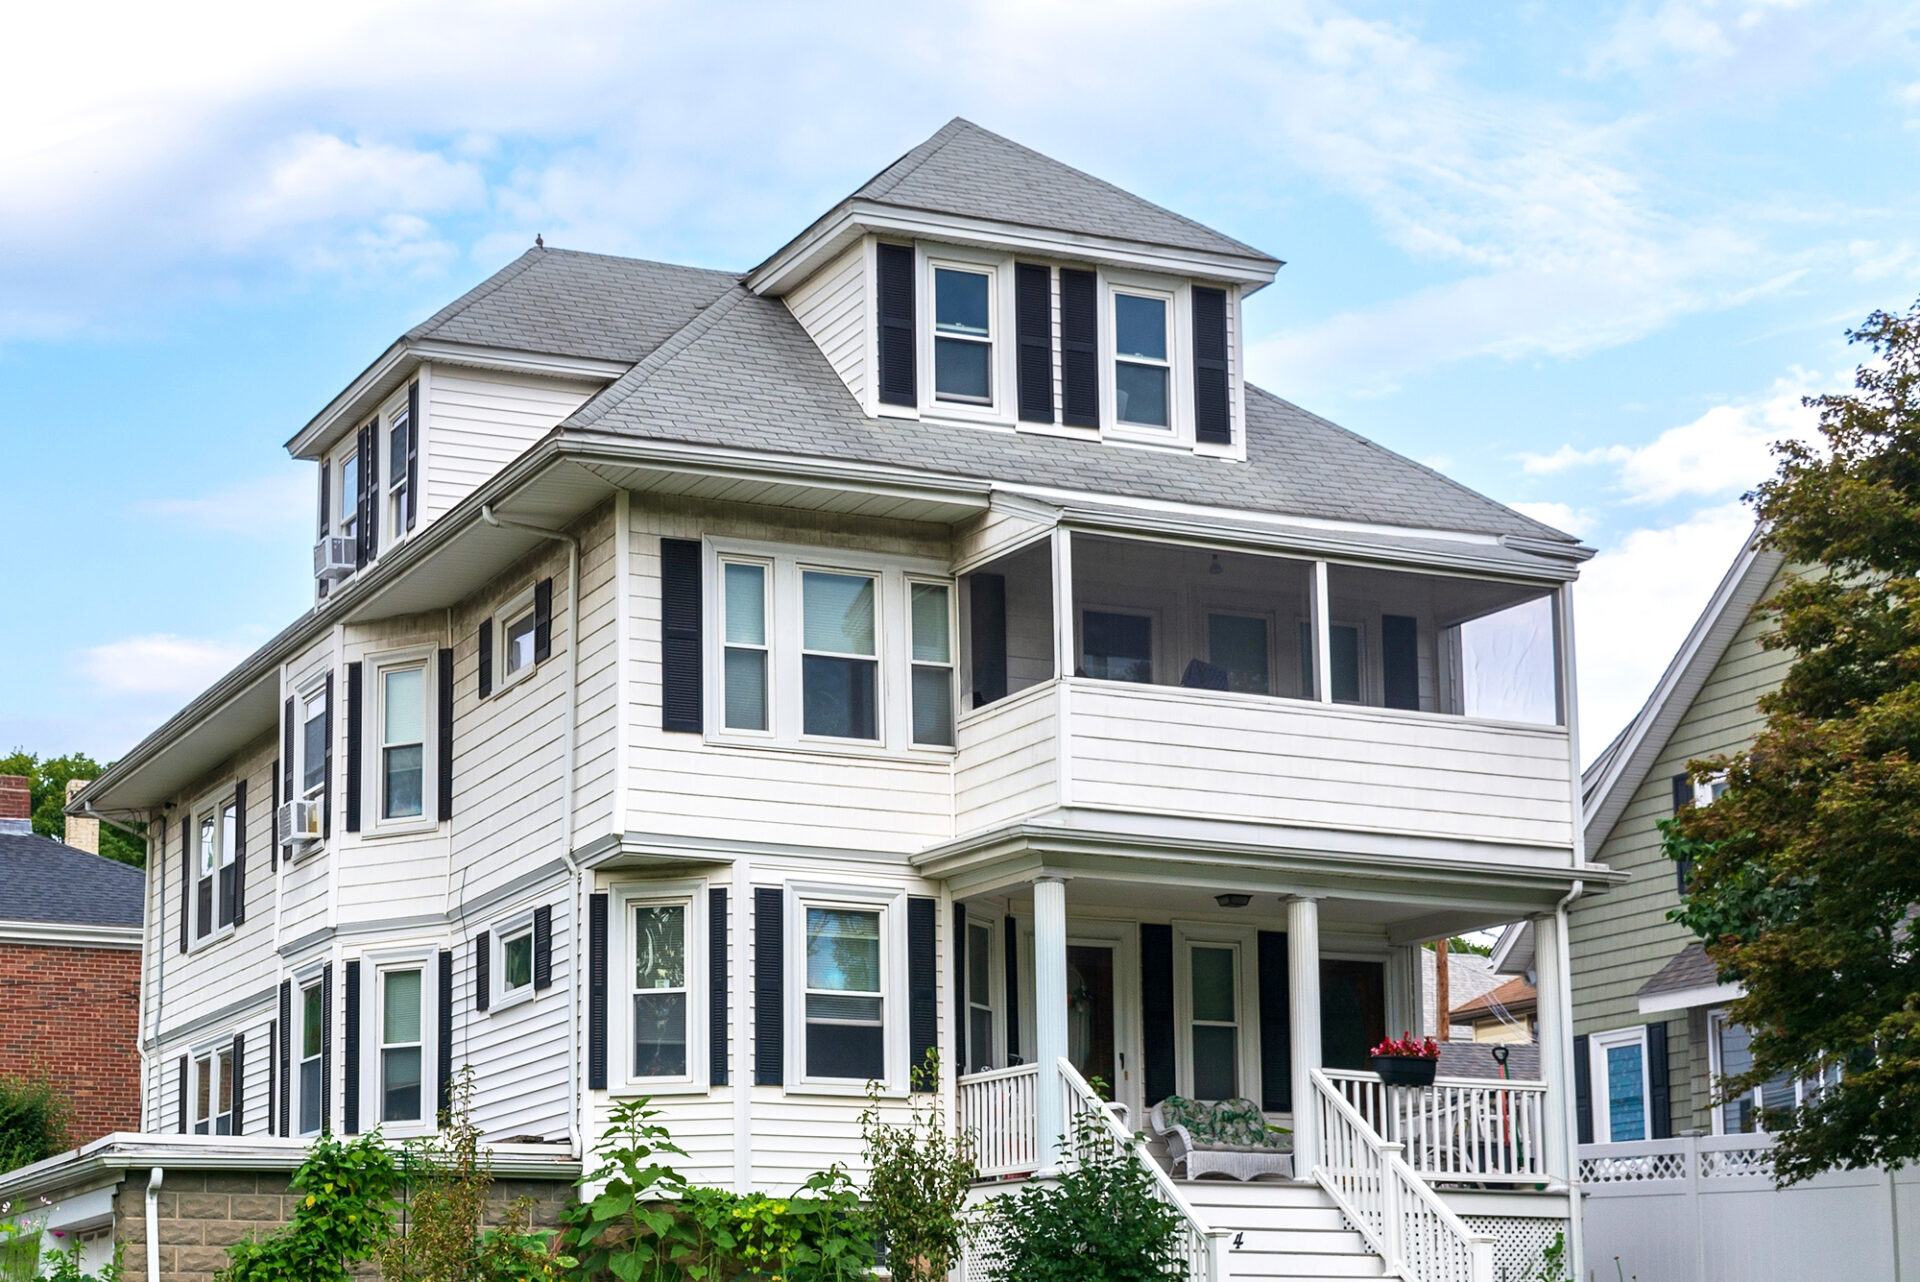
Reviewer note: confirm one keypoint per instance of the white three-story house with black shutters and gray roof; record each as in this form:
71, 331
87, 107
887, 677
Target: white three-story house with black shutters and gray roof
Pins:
732, 686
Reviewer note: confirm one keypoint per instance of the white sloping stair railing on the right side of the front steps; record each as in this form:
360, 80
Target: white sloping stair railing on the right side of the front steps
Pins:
1387, 1200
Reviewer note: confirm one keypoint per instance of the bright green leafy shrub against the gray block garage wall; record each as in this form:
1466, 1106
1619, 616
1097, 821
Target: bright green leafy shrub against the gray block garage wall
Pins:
347, 1212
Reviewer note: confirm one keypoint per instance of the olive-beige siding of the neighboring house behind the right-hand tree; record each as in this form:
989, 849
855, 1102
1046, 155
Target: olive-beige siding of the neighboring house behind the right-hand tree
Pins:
1621, 939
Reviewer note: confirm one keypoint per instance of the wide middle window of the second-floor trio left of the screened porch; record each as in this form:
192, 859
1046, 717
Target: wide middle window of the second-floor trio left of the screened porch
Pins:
840, 671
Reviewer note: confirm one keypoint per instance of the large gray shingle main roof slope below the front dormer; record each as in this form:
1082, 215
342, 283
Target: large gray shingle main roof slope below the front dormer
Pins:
746, 375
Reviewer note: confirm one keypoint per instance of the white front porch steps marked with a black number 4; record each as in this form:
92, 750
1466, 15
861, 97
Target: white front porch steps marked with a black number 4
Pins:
1287, 1231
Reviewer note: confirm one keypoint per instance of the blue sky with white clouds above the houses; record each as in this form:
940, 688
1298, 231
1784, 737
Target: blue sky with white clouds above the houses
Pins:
1583, 258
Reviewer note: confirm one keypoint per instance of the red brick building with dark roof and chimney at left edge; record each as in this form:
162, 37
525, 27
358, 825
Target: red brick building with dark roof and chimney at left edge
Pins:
70, 966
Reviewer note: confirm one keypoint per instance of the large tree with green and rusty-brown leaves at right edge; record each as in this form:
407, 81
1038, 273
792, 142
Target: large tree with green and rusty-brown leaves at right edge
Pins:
1806, 874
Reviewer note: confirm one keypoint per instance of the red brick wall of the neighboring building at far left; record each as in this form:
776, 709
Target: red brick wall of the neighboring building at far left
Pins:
76, 1014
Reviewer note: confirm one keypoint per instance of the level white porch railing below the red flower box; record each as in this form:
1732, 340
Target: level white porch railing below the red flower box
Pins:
1460, 1128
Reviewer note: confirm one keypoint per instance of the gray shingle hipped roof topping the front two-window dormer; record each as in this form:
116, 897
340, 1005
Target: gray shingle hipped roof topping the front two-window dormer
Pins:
971, 172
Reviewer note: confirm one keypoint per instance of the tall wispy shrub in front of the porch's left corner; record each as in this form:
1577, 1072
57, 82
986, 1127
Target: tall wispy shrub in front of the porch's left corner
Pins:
919, 1183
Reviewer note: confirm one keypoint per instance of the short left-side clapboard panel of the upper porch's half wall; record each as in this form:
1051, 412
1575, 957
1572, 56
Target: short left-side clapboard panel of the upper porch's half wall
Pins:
1009, 761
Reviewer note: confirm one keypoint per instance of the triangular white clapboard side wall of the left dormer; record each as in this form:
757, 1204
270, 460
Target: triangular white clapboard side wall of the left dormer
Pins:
479, 421
